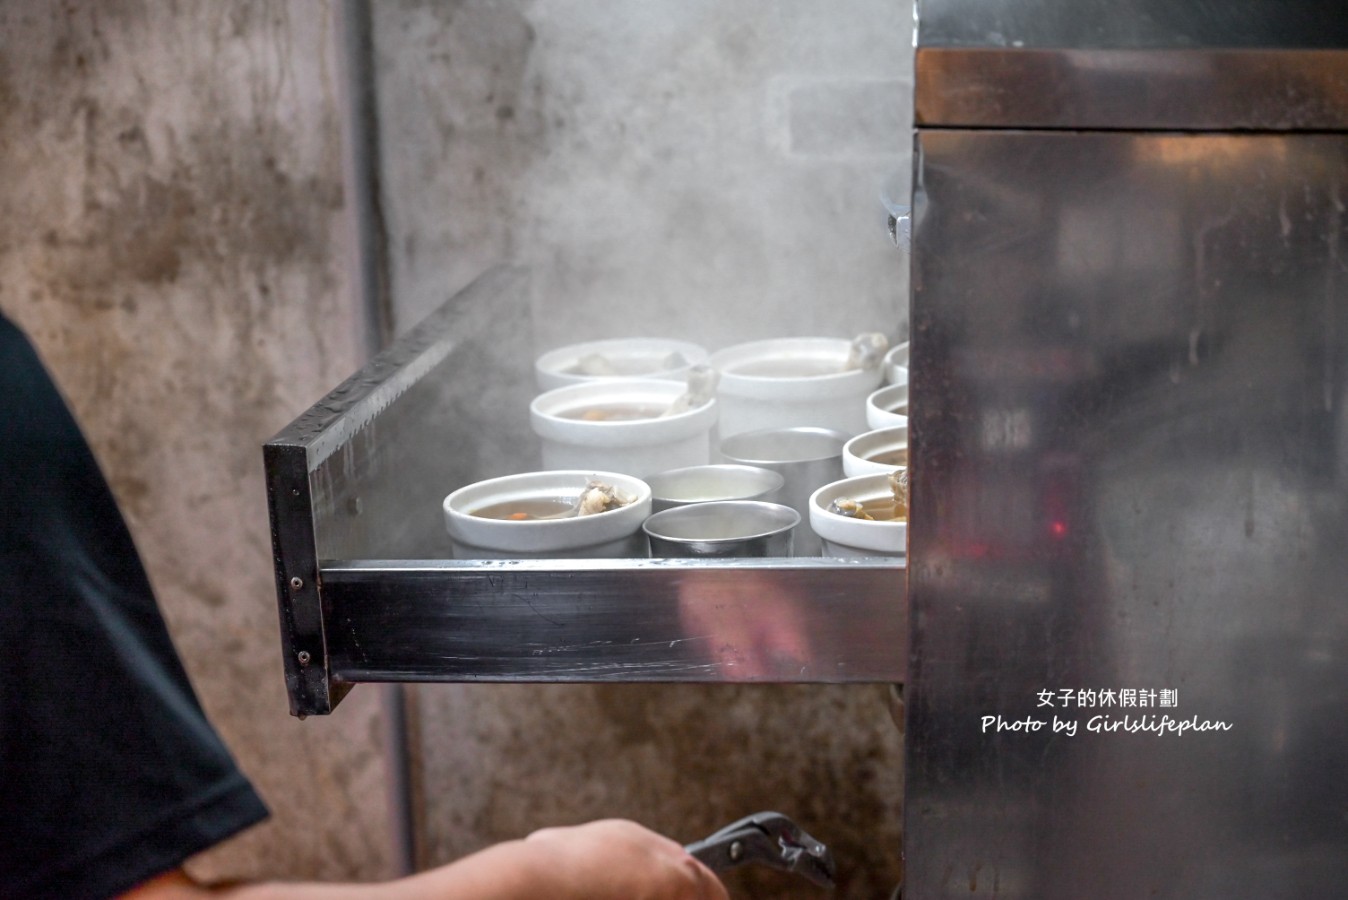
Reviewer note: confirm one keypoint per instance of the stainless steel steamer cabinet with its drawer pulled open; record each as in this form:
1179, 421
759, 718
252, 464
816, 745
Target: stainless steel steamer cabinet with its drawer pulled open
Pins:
1125, 630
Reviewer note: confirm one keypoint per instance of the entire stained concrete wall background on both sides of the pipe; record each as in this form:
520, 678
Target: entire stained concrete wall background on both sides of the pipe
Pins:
176, 238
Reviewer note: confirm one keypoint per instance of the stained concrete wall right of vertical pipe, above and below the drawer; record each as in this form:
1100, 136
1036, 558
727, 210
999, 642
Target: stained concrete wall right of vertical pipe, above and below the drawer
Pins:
677, 168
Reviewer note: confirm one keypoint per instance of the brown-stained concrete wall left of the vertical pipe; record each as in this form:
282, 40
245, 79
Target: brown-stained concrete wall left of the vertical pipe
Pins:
172, 236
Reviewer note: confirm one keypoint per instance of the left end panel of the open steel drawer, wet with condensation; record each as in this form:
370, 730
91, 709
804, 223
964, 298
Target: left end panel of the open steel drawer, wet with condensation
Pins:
350, 476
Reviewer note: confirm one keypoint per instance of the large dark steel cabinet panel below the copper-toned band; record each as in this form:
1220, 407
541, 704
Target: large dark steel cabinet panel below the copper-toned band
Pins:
1130, 510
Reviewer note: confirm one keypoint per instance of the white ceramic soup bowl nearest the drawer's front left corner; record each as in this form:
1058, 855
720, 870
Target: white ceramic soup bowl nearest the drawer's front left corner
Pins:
609, 536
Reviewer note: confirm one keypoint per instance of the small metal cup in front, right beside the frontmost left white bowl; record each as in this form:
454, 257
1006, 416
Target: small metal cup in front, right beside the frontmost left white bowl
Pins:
723, 530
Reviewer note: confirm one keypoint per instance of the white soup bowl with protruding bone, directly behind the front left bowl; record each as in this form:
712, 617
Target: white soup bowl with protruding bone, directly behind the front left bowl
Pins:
575, 436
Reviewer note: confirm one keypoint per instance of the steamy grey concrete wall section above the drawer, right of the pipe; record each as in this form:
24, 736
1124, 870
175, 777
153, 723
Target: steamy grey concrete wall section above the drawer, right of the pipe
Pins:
680, 168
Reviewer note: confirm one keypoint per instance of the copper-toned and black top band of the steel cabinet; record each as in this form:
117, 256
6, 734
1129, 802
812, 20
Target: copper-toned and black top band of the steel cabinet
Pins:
1132, 64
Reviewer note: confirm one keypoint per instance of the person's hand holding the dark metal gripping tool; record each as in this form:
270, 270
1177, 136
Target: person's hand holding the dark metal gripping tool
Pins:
625, 862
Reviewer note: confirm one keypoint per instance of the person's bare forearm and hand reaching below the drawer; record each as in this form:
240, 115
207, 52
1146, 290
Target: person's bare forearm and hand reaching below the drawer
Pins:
607, 860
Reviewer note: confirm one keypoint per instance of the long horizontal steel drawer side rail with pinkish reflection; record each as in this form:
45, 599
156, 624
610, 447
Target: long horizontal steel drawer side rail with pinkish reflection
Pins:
687, 620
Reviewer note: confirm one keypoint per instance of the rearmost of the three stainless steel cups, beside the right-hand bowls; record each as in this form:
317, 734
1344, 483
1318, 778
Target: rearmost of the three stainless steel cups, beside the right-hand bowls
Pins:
808, 459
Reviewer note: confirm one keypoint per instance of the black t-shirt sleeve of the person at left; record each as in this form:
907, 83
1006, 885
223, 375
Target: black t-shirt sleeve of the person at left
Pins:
110, 773
